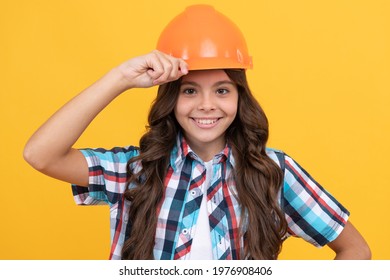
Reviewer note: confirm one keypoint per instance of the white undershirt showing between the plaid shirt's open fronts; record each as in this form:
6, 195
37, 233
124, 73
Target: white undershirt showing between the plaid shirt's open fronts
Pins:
201, 248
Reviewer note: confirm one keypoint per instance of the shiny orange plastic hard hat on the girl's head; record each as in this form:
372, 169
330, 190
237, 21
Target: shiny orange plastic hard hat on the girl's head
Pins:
205, 39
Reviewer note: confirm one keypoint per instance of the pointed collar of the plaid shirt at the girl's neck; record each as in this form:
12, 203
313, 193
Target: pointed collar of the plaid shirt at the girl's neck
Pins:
182, 150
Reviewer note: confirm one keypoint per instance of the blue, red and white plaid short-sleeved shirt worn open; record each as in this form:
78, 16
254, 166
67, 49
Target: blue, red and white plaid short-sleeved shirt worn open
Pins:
311, 212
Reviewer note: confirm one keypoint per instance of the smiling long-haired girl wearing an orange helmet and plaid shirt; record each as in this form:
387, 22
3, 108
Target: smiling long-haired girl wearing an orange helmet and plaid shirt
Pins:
202, 184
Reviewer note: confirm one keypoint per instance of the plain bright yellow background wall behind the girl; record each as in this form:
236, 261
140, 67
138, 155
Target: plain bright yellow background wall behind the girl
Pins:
321, 72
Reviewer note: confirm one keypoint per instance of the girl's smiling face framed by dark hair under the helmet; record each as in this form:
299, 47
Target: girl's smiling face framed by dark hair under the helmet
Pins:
206, 106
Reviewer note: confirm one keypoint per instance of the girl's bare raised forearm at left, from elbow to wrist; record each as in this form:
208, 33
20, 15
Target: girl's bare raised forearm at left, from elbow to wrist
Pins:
58, 134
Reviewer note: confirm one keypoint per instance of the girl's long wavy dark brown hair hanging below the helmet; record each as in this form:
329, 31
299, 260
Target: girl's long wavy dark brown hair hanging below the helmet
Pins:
258, 178
